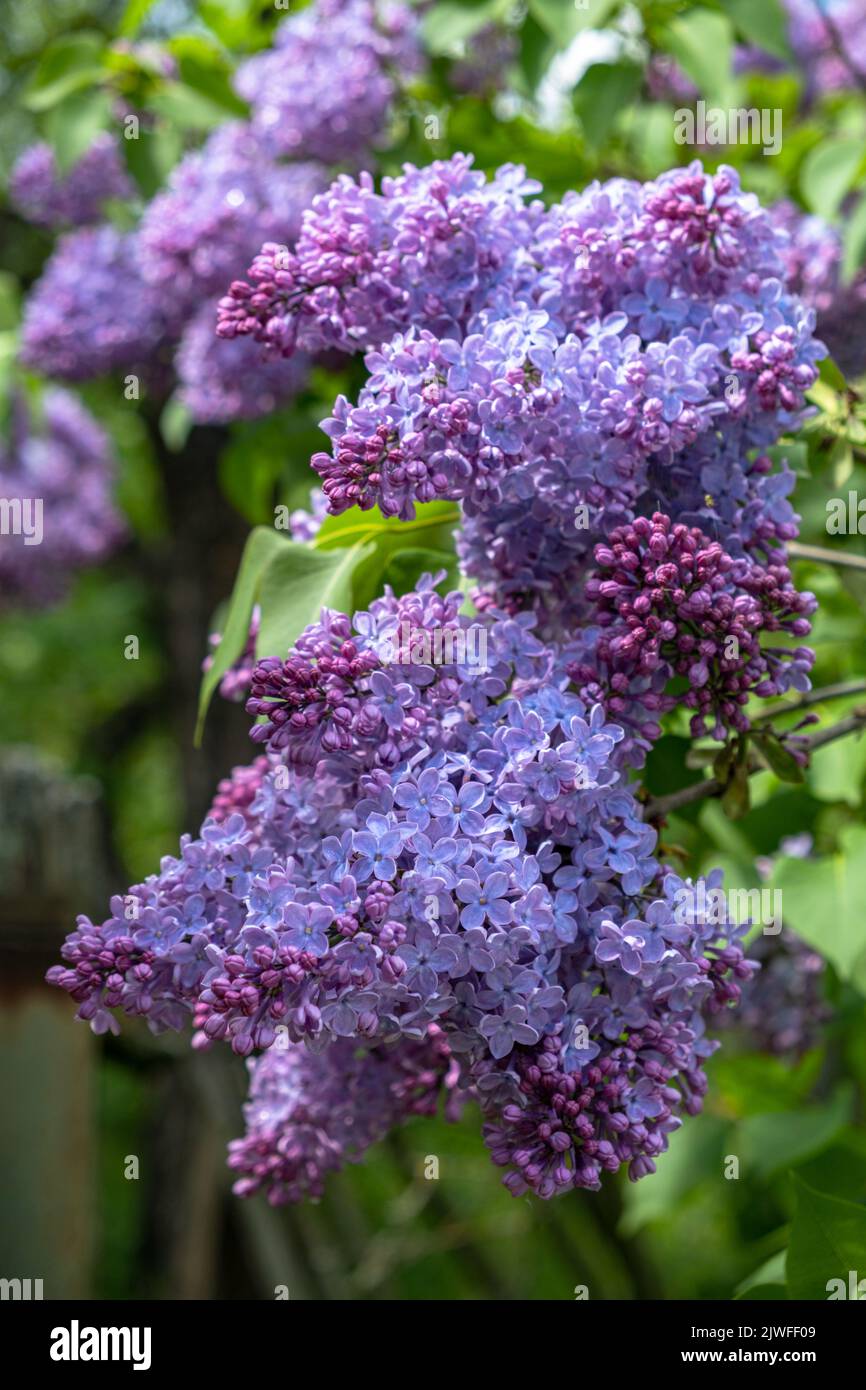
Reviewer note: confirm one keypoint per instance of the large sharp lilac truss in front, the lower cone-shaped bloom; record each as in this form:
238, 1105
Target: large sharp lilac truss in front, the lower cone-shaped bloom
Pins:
427, 854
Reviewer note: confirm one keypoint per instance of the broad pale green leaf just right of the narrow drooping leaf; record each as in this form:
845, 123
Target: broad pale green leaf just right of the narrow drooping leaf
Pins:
297, 584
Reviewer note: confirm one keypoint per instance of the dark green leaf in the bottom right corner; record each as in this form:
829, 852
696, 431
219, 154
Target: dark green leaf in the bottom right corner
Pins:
828, 1242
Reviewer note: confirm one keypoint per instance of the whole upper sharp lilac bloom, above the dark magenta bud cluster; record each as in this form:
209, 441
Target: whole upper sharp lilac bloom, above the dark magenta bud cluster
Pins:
559, 372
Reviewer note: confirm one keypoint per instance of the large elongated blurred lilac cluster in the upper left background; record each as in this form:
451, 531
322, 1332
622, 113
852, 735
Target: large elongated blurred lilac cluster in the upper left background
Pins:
144, 301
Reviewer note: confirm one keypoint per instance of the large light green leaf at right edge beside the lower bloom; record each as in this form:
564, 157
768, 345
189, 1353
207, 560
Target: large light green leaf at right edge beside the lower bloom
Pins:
824, 903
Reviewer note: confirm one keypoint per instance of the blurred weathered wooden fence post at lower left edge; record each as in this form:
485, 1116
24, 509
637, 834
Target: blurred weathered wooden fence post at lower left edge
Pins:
52, 865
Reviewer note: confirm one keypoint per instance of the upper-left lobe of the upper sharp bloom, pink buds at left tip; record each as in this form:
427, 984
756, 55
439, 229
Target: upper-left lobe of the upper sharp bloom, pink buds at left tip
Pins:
432, 250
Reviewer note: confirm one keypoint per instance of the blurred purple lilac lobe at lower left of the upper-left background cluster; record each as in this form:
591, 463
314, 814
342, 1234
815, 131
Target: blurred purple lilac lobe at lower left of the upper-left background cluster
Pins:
91, 312
